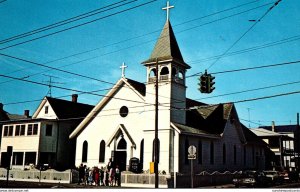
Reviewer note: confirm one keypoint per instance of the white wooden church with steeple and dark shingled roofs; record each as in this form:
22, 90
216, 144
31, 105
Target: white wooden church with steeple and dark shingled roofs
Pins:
121, 126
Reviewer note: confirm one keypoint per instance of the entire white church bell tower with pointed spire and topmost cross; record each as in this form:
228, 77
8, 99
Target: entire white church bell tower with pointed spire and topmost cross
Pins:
167, 65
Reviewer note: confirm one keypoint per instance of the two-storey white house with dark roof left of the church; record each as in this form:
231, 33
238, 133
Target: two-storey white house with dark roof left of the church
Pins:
43, 139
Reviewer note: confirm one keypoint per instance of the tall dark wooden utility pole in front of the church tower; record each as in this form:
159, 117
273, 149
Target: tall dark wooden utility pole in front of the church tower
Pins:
156, 128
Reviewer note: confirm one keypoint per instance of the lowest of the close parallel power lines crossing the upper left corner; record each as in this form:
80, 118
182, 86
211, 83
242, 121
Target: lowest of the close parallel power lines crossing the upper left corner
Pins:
79, 25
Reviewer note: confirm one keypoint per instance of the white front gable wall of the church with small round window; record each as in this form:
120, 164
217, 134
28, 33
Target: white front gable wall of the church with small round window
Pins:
106, 122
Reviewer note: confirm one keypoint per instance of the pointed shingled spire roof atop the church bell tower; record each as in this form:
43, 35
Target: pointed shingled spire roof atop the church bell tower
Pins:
166, 47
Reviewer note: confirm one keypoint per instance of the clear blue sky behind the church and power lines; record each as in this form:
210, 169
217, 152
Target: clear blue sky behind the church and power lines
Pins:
130, 37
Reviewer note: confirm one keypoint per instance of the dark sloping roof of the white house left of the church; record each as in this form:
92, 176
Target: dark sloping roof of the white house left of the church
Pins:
67, 109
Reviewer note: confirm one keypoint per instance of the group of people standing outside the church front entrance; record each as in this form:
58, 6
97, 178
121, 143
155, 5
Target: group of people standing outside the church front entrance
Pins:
108, 176
